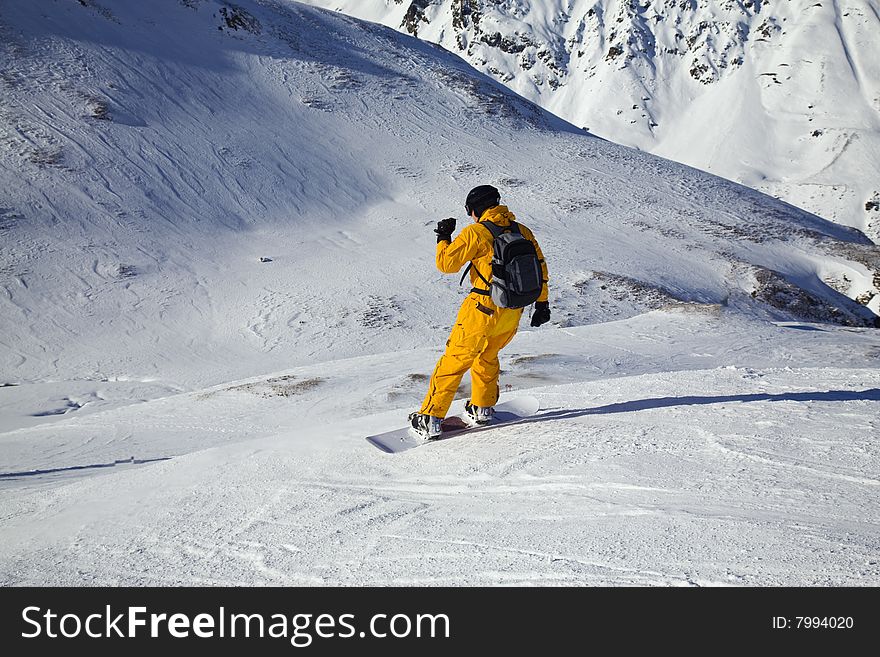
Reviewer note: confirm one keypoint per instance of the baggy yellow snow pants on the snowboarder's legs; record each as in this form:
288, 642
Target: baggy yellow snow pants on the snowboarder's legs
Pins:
481, 330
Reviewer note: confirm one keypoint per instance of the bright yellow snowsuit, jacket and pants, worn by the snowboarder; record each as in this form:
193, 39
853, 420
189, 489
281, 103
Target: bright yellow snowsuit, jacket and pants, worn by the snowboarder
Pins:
481, 329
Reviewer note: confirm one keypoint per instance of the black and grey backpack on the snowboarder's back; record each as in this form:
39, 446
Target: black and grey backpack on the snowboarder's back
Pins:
517, 279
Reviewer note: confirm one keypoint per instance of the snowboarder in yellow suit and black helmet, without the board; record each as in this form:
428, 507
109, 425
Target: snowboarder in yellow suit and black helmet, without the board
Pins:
482, 328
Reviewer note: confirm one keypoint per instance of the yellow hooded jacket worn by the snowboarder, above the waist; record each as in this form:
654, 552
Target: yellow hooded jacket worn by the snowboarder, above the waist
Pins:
474, 244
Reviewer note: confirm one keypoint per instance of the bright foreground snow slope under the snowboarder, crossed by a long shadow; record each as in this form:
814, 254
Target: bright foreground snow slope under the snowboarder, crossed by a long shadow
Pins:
658, 467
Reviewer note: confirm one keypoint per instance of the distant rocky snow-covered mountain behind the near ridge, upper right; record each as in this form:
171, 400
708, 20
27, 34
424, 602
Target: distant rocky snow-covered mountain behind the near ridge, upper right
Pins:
782, 96
